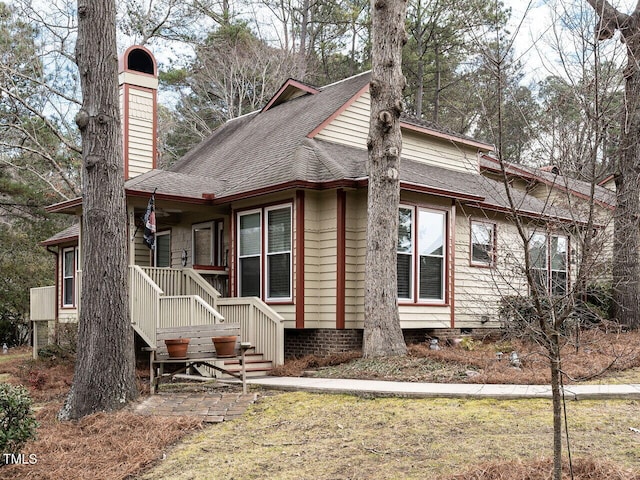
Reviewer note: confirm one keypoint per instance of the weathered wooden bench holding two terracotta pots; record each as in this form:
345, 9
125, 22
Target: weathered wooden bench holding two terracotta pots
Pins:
201, 351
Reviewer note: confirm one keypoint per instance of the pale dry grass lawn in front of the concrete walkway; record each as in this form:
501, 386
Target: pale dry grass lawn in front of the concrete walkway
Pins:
325, 437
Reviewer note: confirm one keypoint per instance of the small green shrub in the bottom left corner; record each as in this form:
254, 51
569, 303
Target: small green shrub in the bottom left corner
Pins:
17, 423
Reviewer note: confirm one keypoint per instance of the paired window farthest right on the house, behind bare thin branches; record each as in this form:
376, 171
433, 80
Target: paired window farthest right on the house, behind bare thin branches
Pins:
548, 258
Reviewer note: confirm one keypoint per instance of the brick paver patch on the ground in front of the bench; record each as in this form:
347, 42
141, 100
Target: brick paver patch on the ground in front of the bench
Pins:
213, 407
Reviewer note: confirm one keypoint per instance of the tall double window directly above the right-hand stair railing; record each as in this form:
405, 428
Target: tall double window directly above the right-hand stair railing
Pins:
264, 253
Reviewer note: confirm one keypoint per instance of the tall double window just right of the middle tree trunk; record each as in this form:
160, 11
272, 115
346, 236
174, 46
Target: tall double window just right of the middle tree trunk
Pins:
421, 249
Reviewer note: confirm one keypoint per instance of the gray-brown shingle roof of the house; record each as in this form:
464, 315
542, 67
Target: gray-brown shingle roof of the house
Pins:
264, 150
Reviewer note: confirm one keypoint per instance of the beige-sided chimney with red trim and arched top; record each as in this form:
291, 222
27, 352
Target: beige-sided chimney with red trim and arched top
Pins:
138, 83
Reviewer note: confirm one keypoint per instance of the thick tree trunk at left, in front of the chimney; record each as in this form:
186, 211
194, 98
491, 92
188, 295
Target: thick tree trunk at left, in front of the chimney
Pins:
104, 376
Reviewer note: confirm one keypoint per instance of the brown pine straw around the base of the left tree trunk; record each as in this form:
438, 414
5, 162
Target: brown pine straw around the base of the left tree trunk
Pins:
104, 446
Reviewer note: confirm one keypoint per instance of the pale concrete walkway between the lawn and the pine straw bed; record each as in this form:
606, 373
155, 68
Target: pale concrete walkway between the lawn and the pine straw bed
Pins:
430, 390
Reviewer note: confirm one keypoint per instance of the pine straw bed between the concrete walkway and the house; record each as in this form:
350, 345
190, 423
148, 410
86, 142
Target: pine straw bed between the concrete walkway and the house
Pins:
596, 356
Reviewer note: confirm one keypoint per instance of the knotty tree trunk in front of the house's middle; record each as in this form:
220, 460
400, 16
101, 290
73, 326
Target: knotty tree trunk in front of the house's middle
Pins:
382, 332
